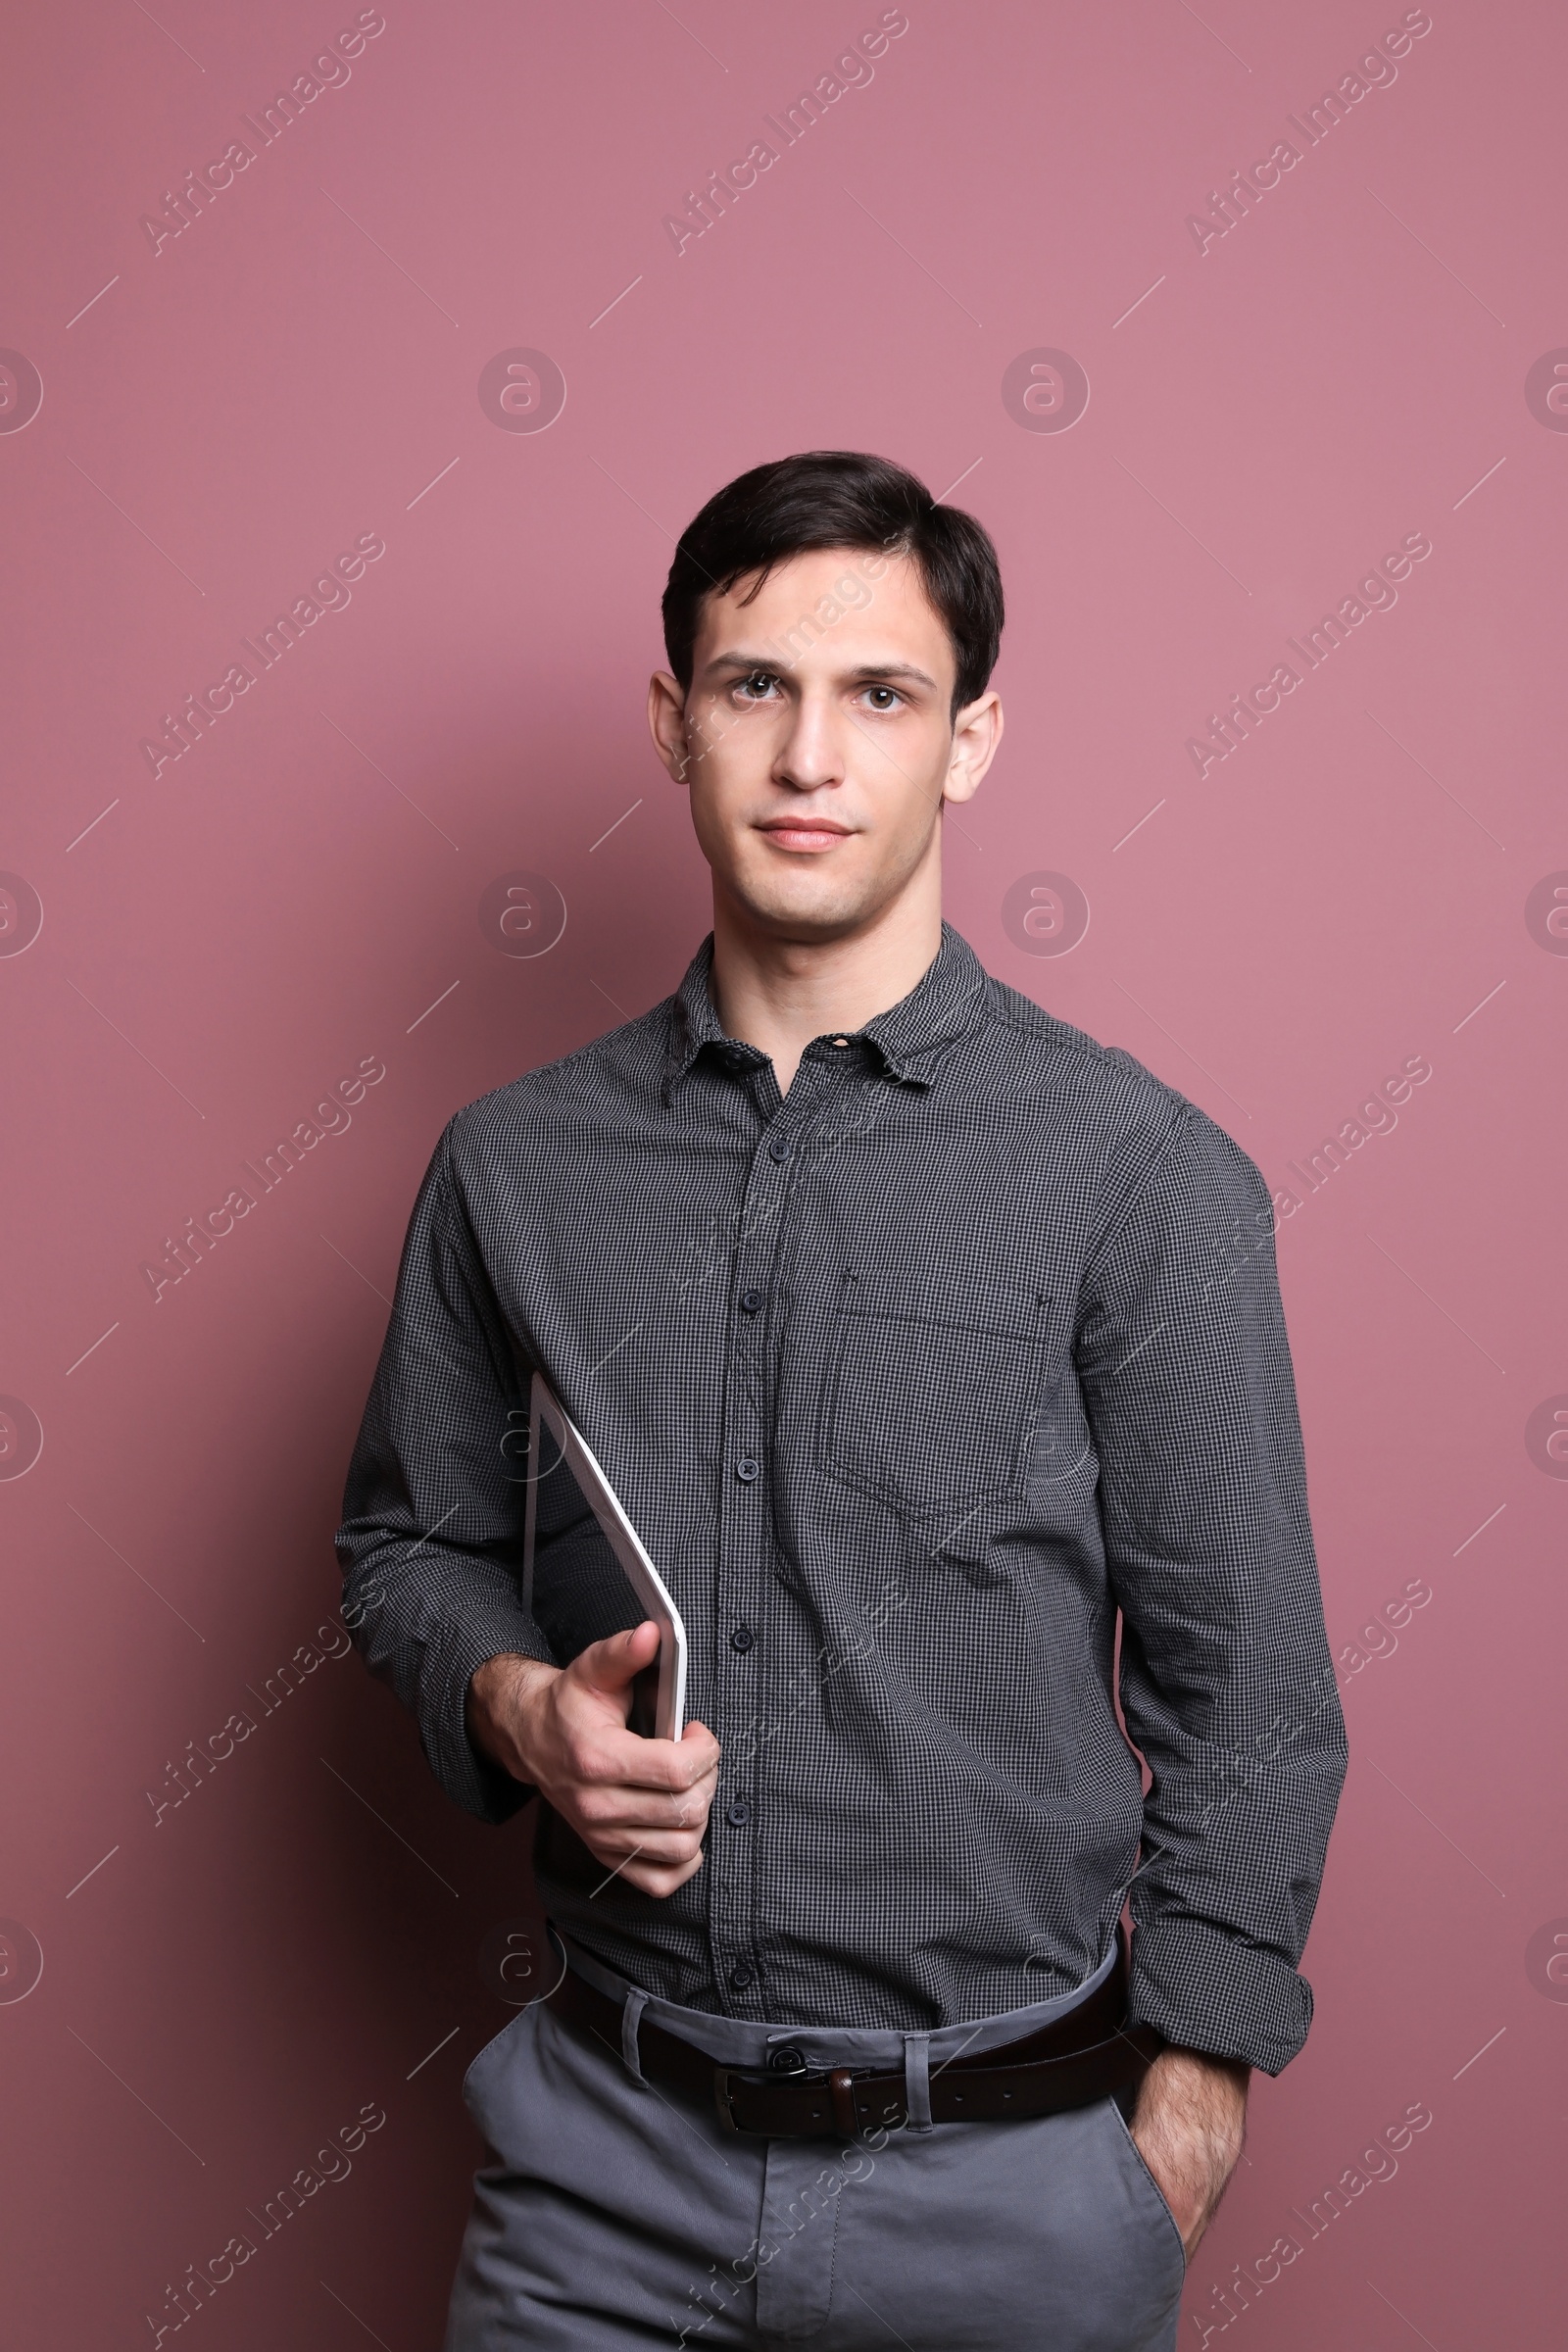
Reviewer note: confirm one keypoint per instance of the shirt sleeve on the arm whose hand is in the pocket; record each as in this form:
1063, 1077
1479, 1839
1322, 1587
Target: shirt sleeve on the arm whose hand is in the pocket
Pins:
1228, 1685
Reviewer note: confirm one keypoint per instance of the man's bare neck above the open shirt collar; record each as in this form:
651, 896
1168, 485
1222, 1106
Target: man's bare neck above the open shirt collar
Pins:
782, 994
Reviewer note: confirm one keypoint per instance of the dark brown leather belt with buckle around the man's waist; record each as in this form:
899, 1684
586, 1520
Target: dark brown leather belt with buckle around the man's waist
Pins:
1080, 2059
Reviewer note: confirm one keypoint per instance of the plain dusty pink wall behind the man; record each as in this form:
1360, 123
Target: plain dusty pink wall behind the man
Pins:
229, 1984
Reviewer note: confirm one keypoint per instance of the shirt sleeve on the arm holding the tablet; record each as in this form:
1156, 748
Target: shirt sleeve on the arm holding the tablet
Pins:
431, 1539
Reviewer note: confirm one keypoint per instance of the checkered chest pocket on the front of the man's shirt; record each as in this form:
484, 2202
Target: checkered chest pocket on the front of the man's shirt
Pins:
932, 1401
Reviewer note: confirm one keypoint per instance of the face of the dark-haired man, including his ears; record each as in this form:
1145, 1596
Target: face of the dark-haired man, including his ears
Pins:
817, 740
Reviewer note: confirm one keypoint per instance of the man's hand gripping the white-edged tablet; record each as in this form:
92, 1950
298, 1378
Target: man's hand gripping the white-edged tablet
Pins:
638, 1805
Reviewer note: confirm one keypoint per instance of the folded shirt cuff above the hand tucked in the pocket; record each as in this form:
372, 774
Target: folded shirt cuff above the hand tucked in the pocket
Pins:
1212, 1991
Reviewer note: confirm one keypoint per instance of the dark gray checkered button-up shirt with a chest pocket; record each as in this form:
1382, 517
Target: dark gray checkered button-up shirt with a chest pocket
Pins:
918, 1384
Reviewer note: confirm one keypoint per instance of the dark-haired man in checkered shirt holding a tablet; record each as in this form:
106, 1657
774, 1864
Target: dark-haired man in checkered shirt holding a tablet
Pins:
927, 1344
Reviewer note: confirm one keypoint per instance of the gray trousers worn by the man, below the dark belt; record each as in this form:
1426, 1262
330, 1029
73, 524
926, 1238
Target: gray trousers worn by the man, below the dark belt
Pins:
617, 2217
